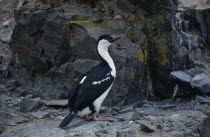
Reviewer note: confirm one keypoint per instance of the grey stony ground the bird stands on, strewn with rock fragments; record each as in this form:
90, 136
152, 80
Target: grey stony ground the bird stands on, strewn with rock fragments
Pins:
33, 117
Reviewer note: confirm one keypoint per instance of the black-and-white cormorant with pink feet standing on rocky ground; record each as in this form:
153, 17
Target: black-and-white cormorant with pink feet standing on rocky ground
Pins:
91, 88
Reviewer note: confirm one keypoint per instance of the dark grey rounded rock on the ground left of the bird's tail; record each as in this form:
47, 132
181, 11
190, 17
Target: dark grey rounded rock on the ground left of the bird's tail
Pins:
28, 105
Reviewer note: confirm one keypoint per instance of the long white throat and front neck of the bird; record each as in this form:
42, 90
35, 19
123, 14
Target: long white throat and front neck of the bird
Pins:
103, 52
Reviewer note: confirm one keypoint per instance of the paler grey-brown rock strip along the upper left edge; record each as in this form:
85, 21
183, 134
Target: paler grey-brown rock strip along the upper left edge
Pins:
7, 24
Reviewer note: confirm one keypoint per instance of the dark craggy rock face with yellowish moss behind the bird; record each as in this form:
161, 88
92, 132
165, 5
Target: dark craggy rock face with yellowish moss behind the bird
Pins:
55, 42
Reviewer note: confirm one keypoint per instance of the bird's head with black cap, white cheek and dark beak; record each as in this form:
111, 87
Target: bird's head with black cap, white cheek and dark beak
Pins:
105, 41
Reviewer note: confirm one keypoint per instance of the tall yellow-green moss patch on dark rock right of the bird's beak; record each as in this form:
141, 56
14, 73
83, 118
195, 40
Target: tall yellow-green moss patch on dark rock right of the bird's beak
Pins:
158, 48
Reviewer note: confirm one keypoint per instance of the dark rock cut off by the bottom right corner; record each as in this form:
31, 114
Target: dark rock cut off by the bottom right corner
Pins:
204, 128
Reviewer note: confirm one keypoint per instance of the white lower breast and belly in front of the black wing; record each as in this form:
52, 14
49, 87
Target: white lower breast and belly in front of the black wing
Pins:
97, 103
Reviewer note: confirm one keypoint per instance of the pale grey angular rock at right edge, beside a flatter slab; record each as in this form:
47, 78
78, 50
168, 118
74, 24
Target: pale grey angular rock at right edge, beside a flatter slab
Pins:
202, 82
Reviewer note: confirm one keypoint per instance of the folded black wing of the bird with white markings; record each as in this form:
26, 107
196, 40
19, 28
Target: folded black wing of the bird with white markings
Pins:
97, 81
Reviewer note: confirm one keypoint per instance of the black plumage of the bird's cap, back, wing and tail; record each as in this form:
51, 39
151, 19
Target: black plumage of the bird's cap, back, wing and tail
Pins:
90, 86
